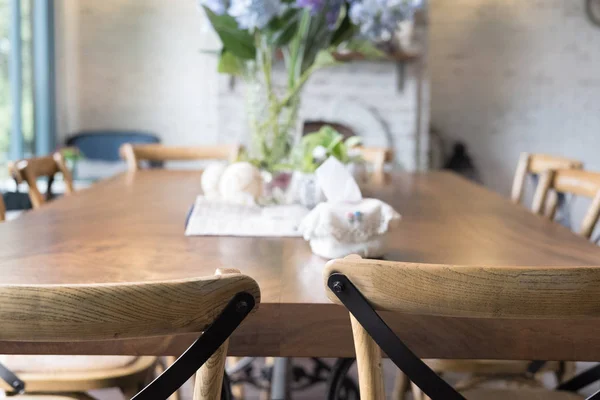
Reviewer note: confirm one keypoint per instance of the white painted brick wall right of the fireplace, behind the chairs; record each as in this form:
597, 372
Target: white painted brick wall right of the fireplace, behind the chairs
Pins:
512, 75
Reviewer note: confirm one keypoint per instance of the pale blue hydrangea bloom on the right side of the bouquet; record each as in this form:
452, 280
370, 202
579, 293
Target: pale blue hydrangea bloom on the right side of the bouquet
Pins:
379, 19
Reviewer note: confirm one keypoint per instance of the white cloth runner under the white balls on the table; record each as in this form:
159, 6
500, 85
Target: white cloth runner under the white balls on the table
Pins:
216, 218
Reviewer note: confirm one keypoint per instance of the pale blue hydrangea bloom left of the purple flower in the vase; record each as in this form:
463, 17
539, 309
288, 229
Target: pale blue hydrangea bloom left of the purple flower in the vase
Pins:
255, 14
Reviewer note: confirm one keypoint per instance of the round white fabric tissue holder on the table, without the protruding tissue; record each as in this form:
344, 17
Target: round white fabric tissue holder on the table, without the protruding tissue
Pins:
336, 230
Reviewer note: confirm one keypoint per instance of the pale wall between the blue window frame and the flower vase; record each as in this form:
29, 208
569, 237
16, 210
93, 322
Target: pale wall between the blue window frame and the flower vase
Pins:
131, 64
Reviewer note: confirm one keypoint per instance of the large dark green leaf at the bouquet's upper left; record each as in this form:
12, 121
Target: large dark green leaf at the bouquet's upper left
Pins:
237, 41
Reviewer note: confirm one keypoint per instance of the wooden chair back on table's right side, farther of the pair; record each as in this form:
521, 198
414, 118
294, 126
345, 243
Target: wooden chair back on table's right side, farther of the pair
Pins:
537, 164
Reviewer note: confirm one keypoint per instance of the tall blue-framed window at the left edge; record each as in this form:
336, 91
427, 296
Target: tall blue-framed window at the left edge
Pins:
26, 67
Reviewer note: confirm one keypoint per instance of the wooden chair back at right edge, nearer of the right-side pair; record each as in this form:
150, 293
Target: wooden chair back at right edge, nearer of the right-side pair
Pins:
569, 181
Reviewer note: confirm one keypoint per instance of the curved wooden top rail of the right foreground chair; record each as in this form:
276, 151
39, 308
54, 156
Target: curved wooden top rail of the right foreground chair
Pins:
475, 291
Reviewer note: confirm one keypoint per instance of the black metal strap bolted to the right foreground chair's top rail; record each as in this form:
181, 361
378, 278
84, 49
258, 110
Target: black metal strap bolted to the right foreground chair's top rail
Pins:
416, 370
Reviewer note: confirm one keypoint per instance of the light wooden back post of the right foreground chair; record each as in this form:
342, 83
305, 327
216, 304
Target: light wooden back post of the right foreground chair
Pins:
368, 360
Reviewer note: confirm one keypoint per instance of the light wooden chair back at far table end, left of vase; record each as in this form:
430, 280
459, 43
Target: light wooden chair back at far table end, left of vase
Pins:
157, 153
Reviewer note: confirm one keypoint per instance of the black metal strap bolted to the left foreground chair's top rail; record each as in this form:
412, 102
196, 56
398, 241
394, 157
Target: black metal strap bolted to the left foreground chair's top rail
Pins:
200, 351
